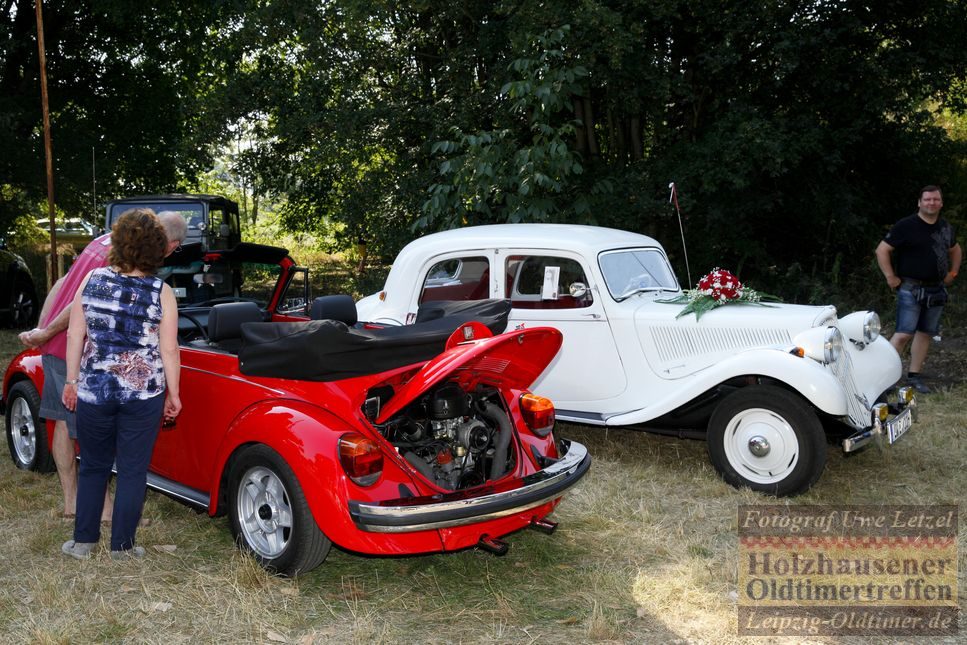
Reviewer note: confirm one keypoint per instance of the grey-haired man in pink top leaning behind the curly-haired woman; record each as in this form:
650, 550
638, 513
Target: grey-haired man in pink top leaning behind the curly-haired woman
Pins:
51, 338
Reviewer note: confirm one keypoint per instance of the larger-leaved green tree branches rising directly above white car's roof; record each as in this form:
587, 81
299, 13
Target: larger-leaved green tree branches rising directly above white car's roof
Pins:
498, 176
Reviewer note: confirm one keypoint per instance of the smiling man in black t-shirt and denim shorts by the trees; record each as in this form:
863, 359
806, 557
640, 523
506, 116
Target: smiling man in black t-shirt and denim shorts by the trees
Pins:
927, 256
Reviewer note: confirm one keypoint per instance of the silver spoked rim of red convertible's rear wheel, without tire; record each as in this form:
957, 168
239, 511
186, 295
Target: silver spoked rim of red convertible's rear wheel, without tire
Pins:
264, 512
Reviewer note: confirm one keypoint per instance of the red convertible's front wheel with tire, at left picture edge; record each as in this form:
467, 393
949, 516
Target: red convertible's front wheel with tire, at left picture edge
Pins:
26, 431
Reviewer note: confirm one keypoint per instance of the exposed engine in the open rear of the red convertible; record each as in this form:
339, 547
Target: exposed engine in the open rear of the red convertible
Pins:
456, 439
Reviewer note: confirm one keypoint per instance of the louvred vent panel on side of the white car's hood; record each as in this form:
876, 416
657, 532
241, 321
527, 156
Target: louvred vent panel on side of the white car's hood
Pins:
676, 343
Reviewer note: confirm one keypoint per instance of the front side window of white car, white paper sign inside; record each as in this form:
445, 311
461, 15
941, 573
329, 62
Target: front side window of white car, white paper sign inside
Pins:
546, 282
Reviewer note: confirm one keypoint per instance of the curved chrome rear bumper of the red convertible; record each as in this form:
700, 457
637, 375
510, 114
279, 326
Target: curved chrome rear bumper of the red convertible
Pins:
458, 509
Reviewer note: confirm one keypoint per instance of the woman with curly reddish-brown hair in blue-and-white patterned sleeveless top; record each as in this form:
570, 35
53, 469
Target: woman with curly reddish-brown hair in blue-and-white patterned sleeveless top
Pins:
122, 374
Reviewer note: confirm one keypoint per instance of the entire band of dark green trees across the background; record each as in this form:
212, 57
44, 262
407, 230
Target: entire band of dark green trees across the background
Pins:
796, 132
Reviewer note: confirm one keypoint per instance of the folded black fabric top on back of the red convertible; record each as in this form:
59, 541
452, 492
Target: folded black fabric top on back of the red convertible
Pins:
328, 350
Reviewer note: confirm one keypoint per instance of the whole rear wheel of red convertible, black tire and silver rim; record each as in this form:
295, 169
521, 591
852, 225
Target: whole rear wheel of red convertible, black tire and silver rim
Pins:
269, 514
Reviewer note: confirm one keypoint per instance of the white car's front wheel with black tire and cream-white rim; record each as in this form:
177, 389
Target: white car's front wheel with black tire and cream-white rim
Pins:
767, 438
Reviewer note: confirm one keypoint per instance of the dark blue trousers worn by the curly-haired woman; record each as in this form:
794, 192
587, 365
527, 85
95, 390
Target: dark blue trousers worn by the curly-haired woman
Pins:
107, 433
